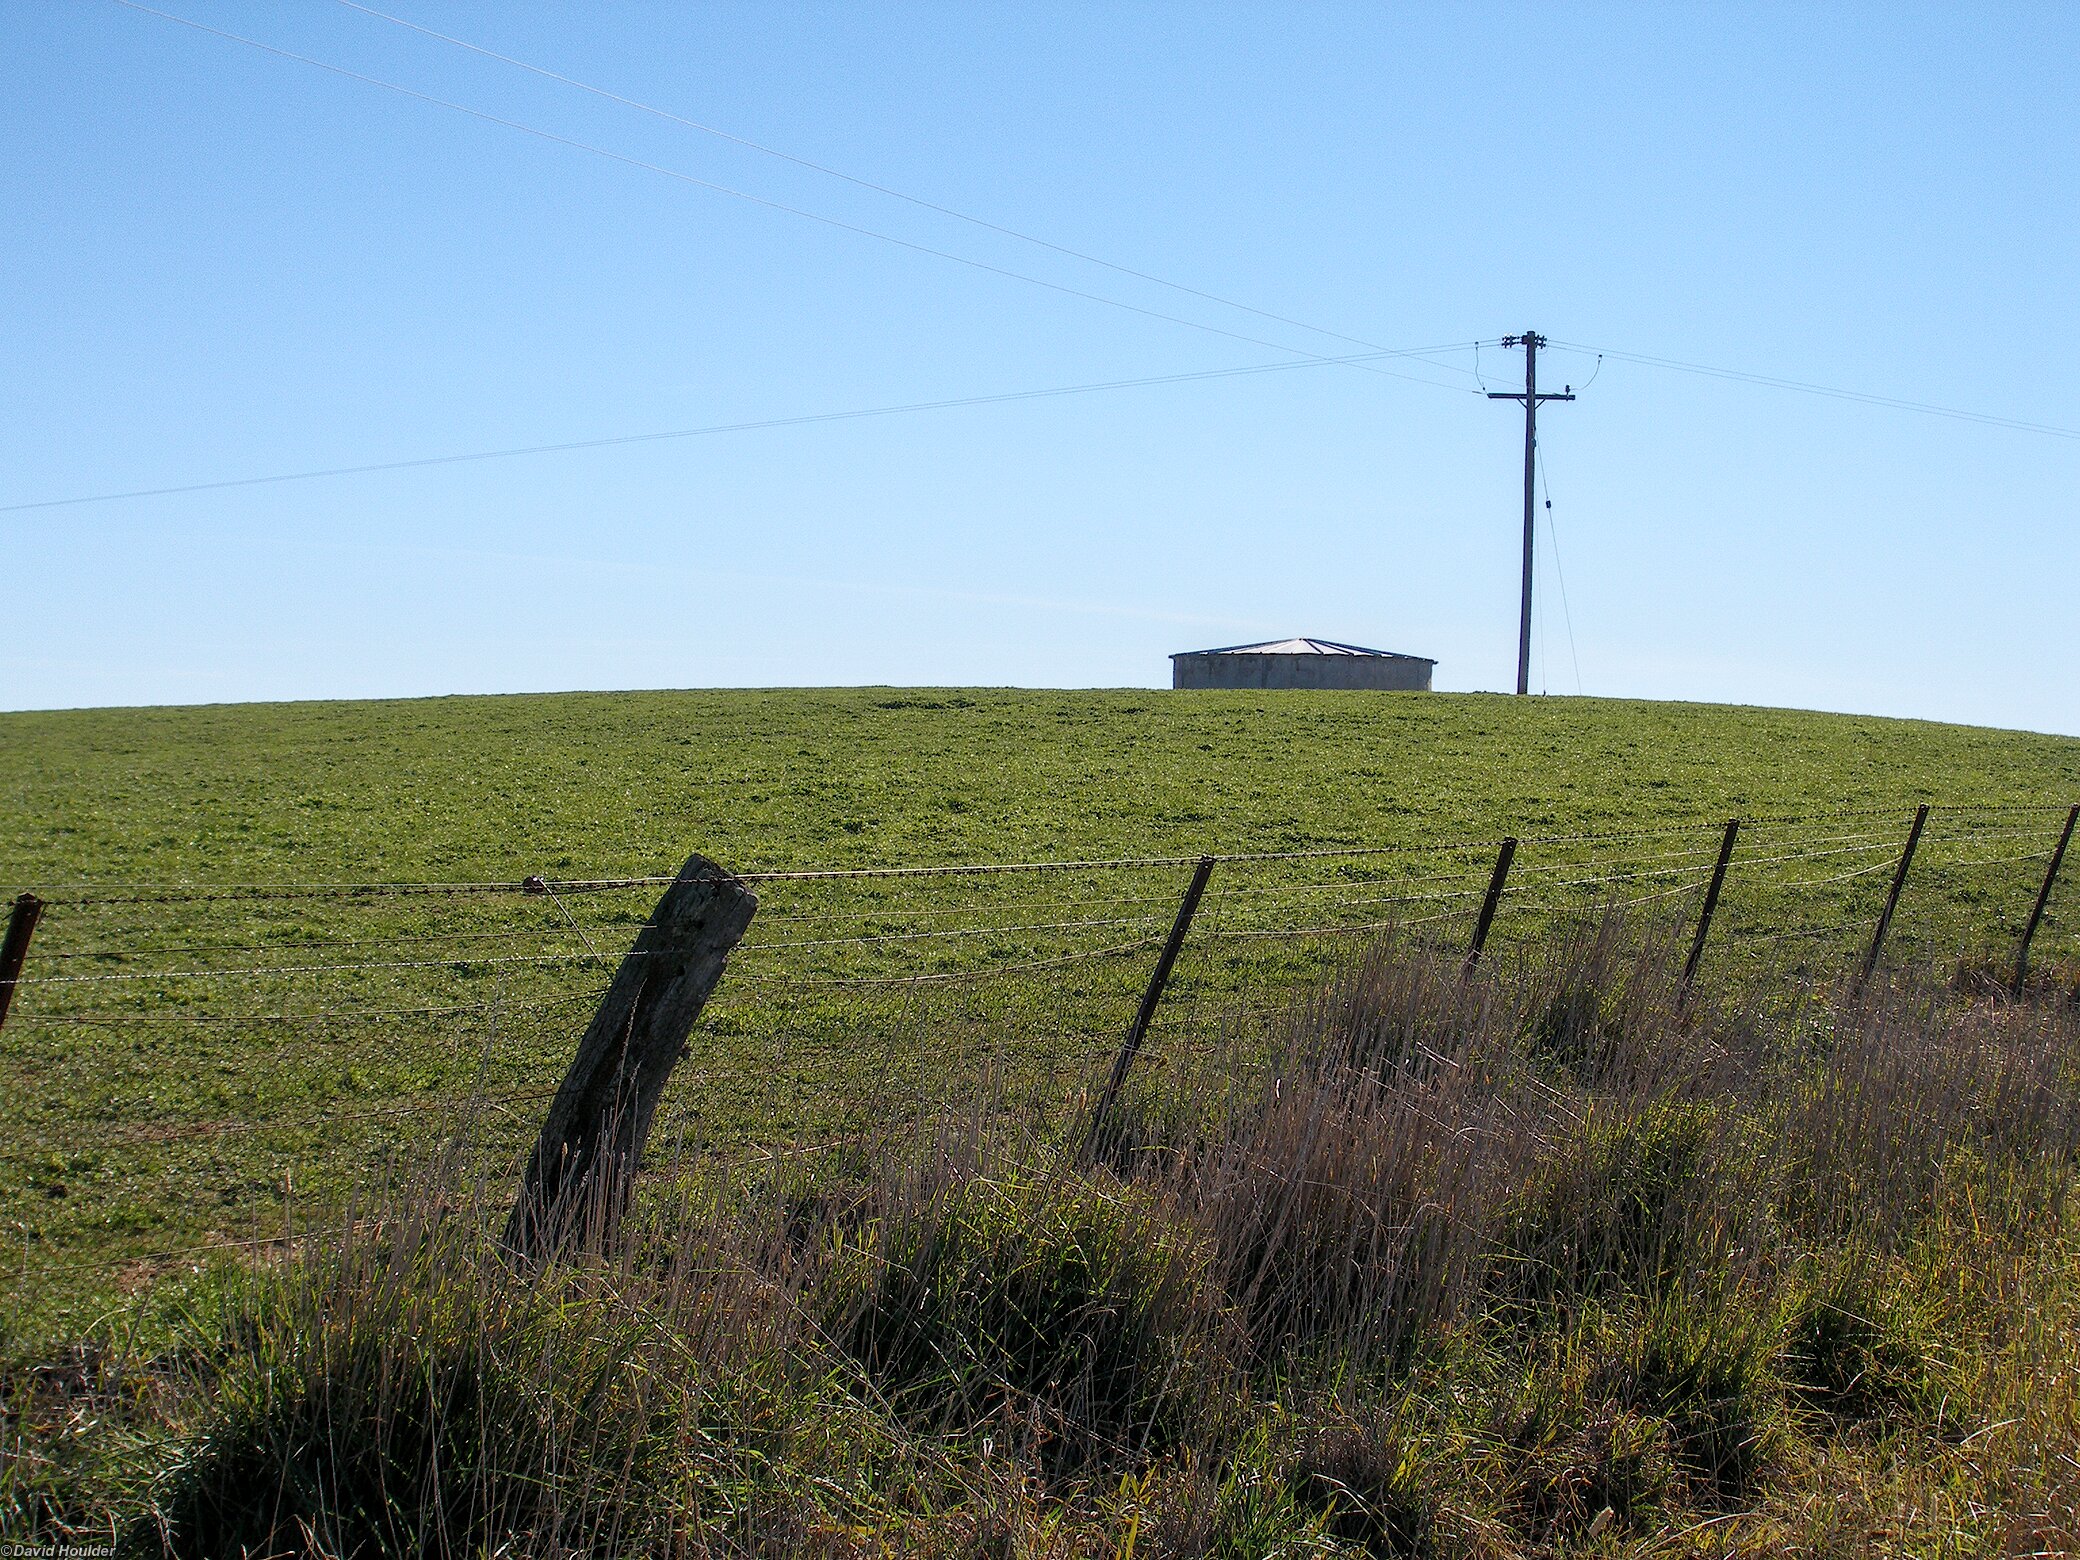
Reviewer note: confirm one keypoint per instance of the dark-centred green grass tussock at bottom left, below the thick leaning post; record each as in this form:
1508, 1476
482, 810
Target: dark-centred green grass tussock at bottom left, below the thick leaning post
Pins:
407, 1403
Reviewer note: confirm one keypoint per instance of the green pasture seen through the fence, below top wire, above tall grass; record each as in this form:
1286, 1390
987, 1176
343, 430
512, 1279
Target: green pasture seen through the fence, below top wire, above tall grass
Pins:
205, 1070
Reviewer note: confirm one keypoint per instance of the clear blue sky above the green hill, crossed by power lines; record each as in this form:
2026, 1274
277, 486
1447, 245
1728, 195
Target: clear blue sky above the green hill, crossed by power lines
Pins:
222, 265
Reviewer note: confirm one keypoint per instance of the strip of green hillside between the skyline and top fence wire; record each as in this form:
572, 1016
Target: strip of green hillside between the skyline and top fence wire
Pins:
773, 779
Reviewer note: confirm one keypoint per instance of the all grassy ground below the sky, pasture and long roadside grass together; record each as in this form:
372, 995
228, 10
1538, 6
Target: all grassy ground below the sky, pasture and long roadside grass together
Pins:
203, 1060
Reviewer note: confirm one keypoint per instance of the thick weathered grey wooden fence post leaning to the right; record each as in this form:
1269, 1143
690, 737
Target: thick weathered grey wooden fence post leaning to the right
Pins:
583, 1166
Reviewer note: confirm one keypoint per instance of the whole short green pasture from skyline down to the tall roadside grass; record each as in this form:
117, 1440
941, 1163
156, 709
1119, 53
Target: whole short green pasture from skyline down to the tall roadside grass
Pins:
192, 1070
